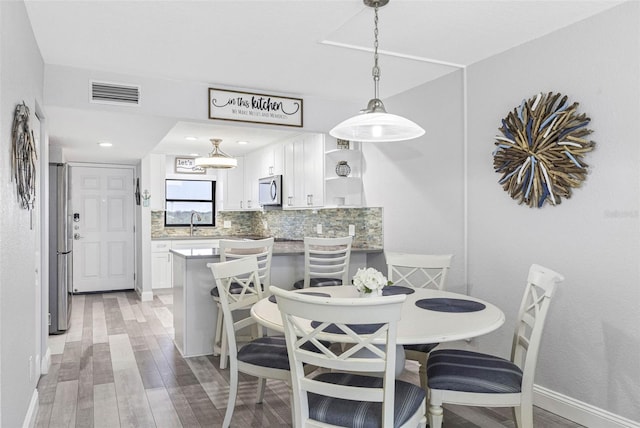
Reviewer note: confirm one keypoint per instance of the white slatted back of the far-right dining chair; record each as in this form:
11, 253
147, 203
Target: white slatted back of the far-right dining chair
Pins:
541, 284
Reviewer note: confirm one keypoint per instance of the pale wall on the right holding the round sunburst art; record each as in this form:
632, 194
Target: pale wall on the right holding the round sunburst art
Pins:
592, 341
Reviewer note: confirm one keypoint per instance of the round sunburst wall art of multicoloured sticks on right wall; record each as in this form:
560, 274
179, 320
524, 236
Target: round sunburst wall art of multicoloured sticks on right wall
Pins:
541, 151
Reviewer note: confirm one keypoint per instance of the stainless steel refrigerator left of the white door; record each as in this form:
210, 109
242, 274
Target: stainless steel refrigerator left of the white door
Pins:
60, 249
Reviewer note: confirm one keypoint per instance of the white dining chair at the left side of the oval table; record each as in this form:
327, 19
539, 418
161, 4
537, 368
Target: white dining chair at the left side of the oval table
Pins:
264, 357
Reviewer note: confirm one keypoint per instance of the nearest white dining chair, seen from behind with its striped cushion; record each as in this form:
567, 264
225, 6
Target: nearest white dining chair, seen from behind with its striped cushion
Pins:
348, 391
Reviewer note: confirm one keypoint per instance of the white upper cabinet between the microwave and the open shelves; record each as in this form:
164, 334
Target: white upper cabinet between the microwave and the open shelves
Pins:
304, 172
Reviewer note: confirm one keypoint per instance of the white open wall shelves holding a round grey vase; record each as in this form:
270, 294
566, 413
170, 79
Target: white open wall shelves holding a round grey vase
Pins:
340, 189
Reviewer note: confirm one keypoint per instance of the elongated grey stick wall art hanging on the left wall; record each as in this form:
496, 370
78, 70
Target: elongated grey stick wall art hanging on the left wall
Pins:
23, 163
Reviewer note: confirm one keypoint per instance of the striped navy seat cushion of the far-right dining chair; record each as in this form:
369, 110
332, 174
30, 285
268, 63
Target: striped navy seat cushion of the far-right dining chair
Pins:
458, 370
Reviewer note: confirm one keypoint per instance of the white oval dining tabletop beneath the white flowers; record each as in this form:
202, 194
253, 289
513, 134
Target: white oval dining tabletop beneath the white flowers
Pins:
417, 325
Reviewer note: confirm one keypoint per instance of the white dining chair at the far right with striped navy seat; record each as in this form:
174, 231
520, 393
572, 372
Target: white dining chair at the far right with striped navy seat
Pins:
476, 379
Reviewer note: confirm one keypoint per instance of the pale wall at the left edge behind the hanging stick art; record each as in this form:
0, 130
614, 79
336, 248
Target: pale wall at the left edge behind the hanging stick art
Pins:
21, 78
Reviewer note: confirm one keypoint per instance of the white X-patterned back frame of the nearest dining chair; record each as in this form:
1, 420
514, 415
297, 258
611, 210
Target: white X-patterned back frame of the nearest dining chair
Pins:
309, 319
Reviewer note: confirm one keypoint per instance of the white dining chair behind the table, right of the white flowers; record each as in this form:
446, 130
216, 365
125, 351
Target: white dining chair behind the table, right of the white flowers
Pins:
418, 271
